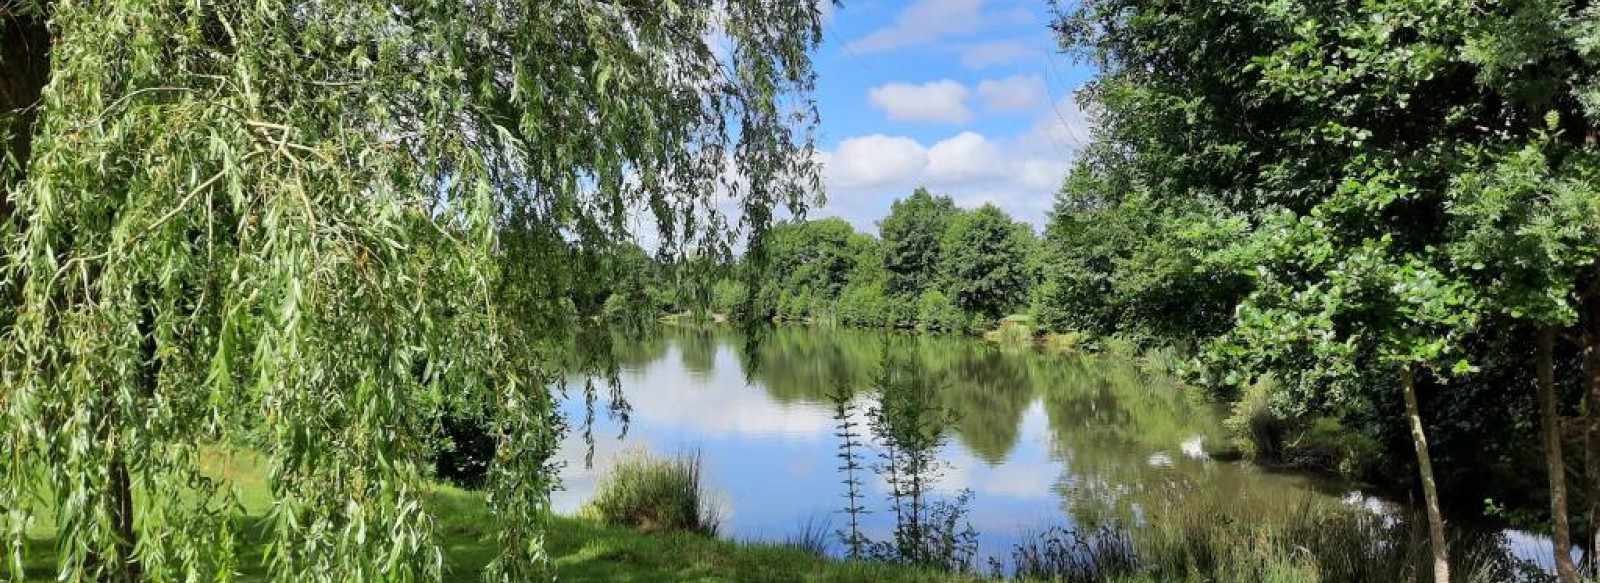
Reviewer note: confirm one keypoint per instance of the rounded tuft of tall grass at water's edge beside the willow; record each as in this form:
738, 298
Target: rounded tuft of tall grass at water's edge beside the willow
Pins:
655, 494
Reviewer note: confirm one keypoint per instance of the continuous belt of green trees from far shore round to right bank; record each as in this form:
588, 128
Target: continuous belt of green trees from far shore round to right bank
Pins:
1374, 225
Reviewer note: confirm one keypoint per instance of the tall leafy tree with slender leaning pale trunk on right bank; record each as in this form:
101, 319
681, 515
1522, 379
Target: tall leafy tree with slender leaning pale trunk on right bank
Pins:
1340, 132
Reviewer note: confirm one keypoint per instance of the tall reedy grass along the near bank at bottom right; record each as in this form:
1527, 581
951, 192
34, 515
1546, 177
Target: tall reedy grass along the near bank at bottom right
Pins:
1218, 539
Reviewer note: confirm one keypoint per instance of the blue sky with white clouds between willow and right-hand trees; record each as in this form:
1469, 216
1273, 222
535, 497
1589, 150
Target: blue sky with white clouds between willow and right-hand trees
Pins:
970, 99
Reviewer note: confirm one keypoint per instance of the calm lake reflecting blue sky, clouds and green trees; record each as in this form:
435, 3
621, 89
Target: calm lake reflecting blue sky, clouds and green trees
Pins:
1038, 440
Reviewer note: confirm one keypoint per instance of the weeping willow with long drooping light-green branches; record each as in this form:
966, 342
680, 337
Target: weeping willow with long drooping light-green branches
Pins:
308, 228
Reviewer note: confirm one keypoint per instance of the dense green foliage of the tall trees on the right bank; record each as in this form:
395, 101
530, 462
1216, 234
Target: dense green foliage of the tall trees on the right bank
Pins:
1332, 193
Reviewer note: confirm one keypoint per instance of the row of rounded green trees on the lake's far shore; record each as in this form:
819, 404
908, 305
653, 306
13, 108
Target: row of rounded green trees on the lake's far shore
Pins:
932, 267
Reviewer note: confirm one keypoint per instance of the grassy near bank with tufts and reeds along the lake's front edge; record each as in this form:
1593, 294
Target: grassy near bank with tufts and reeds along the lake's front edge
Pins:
1204, 539
